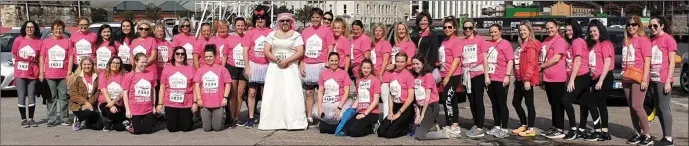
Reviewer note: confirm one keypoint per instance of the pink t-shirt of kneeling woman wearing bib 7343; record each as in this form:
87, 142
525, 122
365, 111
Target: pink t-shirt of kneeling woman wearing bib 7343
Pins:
140, 88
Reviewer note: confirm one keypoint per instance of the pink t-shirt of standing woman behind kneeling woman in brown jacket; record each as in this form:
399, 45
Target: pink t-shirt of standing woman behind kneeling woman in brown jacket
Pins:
84, 45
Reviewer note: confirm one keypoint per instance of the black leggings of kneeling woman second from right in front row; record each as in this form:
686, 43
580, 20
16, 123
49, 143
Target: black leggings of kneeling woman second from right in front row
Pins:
398, 127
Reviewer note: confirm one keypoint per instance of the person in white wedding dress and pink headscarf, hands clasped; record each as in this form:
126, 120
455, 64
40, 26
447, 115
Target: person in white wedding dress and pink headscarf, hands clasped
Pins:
283, 99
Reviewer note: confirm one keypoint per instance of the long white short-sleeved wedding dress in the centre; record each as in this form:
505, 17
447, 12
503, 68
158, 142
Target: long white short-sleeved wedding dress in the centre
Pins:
283, 98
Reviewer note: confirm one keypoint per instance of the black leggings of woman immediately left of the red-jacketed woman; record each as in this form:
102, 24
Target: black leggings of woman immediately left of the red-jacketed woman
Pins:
498, 99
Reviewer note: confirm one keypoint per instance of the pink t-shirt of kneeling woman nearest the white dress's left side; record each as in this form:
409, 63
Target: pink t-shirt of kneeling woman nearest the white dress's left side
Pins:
212, 80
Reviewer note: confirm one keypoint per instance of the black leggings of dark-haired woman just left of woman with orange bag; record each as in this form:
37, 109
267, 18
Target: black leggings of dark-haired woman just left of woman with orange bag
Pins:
595, 103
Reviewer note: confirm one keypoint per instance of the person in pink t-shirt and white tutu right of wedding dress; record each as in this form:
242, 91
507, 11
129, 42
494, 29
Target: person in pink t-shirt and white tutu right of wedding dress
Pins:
318, 42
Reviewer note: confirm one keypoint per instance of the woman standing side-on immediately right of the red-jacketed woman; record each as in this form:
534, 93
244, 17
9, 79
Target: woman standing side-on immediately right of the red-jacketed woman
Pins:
553, 68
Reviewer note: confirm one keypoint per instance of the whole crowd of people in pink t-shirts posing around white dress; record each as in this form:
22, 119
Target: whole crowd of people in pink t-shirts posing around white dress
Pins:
120, 83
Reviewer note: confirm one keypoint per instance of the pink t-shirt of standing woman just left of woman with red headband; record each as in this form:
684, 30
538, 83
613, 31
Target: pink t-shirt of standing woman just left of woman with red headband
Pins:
235, 51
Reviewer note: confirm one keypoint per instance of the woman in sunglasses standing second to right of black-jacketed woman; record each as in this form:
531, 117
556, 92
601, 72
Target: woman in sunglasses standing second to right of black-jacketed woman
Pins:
475, 73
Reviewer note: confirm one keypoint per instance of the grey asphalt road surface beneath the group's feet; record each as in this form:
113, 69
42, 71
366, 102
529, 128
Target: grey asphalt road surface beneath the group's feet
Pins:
620, 128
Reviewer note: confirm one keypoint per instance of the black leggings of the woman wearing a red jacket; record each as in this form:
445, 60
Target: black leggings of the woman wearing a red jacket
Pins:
520, 94
